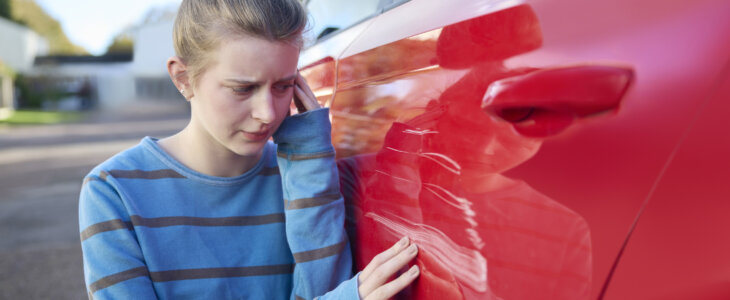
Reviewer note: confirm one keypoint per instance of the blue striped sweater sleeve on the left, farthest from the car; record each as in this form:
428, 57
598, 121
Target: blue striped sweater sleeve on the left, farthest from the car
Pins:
114, 267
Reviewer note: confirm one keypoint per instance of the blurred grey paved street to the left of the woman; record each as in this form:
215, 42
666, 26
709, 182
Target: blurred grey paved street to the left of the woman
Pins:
41, 168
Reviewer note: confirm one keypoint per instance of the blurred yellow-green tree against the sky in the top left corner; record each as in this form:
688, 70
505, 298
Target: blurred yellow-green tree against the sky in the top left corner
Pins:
30, 14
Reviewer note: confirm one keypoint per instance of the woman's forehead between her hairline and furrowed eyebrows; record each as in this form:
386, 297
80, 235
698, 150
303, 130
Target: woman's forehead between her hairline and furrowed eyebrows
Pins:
243, 55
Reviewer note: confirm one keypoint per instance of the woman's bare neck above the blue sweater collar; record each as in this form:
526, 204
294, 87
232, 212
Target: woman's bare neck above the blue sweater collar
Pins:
197, 150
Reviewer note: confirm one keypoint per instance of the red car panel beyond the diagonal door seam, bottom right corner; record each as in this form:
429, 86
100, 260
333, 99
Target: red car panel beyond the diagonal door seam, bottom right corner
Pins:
681, 238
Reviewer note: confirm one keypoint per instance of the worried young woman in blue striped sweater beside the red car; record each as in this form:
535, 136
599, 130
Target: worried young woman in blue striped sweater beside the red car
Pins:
217, 211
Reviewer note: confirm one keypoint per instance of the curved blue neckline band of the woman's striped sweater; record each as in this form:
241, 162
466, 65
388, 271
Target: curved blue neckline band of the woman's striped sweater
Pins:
150, 144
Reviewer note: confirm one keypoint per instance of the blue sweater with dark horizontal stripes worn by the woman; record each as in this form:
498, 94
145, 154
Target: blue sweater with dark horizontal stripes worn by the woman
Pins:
153, 228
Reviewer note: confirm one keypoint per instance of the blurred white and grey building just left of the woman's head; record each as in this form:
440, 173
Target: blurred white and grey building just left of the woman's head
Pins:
117, 80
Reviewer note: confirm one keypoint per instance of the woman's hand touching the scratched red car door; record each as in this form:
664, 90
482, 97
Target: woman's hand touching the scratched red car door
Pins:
372, 281
